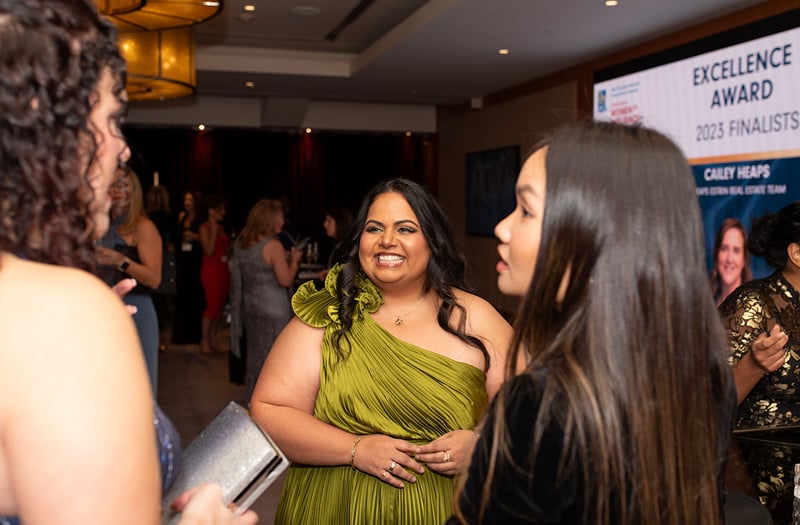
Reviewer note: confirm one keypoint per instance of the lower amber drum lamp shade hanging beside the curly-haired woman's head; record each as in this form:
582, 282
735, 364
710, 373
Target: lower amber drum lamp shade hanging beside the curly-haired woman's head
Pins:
160, 63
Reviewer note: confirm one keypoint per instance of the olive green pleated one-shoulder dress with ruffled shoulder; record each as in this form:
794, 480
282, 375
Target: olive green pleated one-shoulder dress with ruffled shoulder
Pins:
385, 386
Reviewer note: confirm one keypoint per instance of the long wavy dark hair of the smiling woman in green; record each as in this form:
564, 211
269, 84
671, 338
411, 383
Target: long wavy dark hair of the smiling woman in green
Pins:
446, 269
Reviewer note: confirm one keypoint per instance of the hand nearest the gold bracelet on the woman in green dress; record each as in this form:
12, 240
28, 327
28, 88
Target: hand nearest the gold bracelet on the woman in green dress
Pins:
388, 459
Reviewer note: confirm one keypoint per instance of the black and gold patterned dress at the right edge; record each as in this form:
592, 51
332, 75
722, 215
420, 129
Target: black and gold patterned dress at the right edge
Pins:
753, 309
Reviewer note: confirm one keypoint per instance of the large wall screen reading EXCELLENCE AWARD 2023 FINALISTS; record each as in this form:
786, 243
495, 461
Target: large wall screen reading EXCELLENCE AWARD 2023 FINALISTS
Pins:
733, 106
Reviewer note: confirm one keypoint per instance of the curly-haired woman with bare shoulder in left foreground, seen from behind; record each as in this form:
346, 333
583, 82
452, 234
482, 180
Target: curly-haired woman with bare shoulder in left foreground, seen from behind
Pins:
77, 438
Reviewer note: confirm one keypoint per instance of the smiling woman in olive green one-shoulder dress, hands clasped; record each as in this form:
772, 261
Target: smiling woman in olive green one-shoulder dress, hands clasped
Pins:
384, 370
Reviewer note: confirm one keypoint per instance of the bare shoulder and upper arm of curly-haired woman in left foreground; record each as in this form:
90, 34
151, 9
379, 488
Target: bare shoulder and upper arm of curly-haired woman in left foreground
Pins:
70, 359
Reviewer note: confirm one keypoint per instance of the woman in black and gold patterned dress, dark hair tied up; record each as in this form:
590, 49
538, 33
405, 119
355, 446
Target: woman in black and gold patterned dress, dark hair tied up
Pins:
762, 322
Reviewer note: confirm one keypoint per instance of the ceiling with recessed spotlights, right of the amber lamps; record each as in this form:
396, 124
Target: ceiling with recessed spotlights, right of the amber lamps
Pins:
434, 52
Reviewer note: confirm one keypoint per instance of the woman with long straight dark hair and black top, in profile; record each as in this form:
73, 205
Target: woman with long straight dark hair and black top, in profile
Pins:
623, 414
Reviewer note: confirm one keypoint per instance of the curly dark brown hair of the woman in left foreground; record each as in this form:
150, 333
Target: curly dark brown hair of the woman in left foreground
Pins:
52, 54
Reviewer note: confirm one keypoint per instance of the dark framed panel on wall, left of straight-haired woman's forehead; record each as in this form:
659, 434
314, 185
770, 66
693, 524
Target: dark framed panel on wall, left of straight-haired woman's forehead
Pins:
491, 175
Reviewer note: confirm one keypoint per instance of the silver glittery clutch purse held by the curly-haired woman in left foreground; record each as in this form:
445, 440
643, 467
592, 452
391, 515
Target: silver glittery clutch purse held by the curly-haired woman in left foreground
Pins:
232, 451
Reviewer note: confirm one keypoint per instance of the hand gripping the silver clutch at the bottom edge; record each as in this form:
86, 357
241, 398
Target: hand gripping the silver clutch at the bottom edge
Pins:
203, 505
